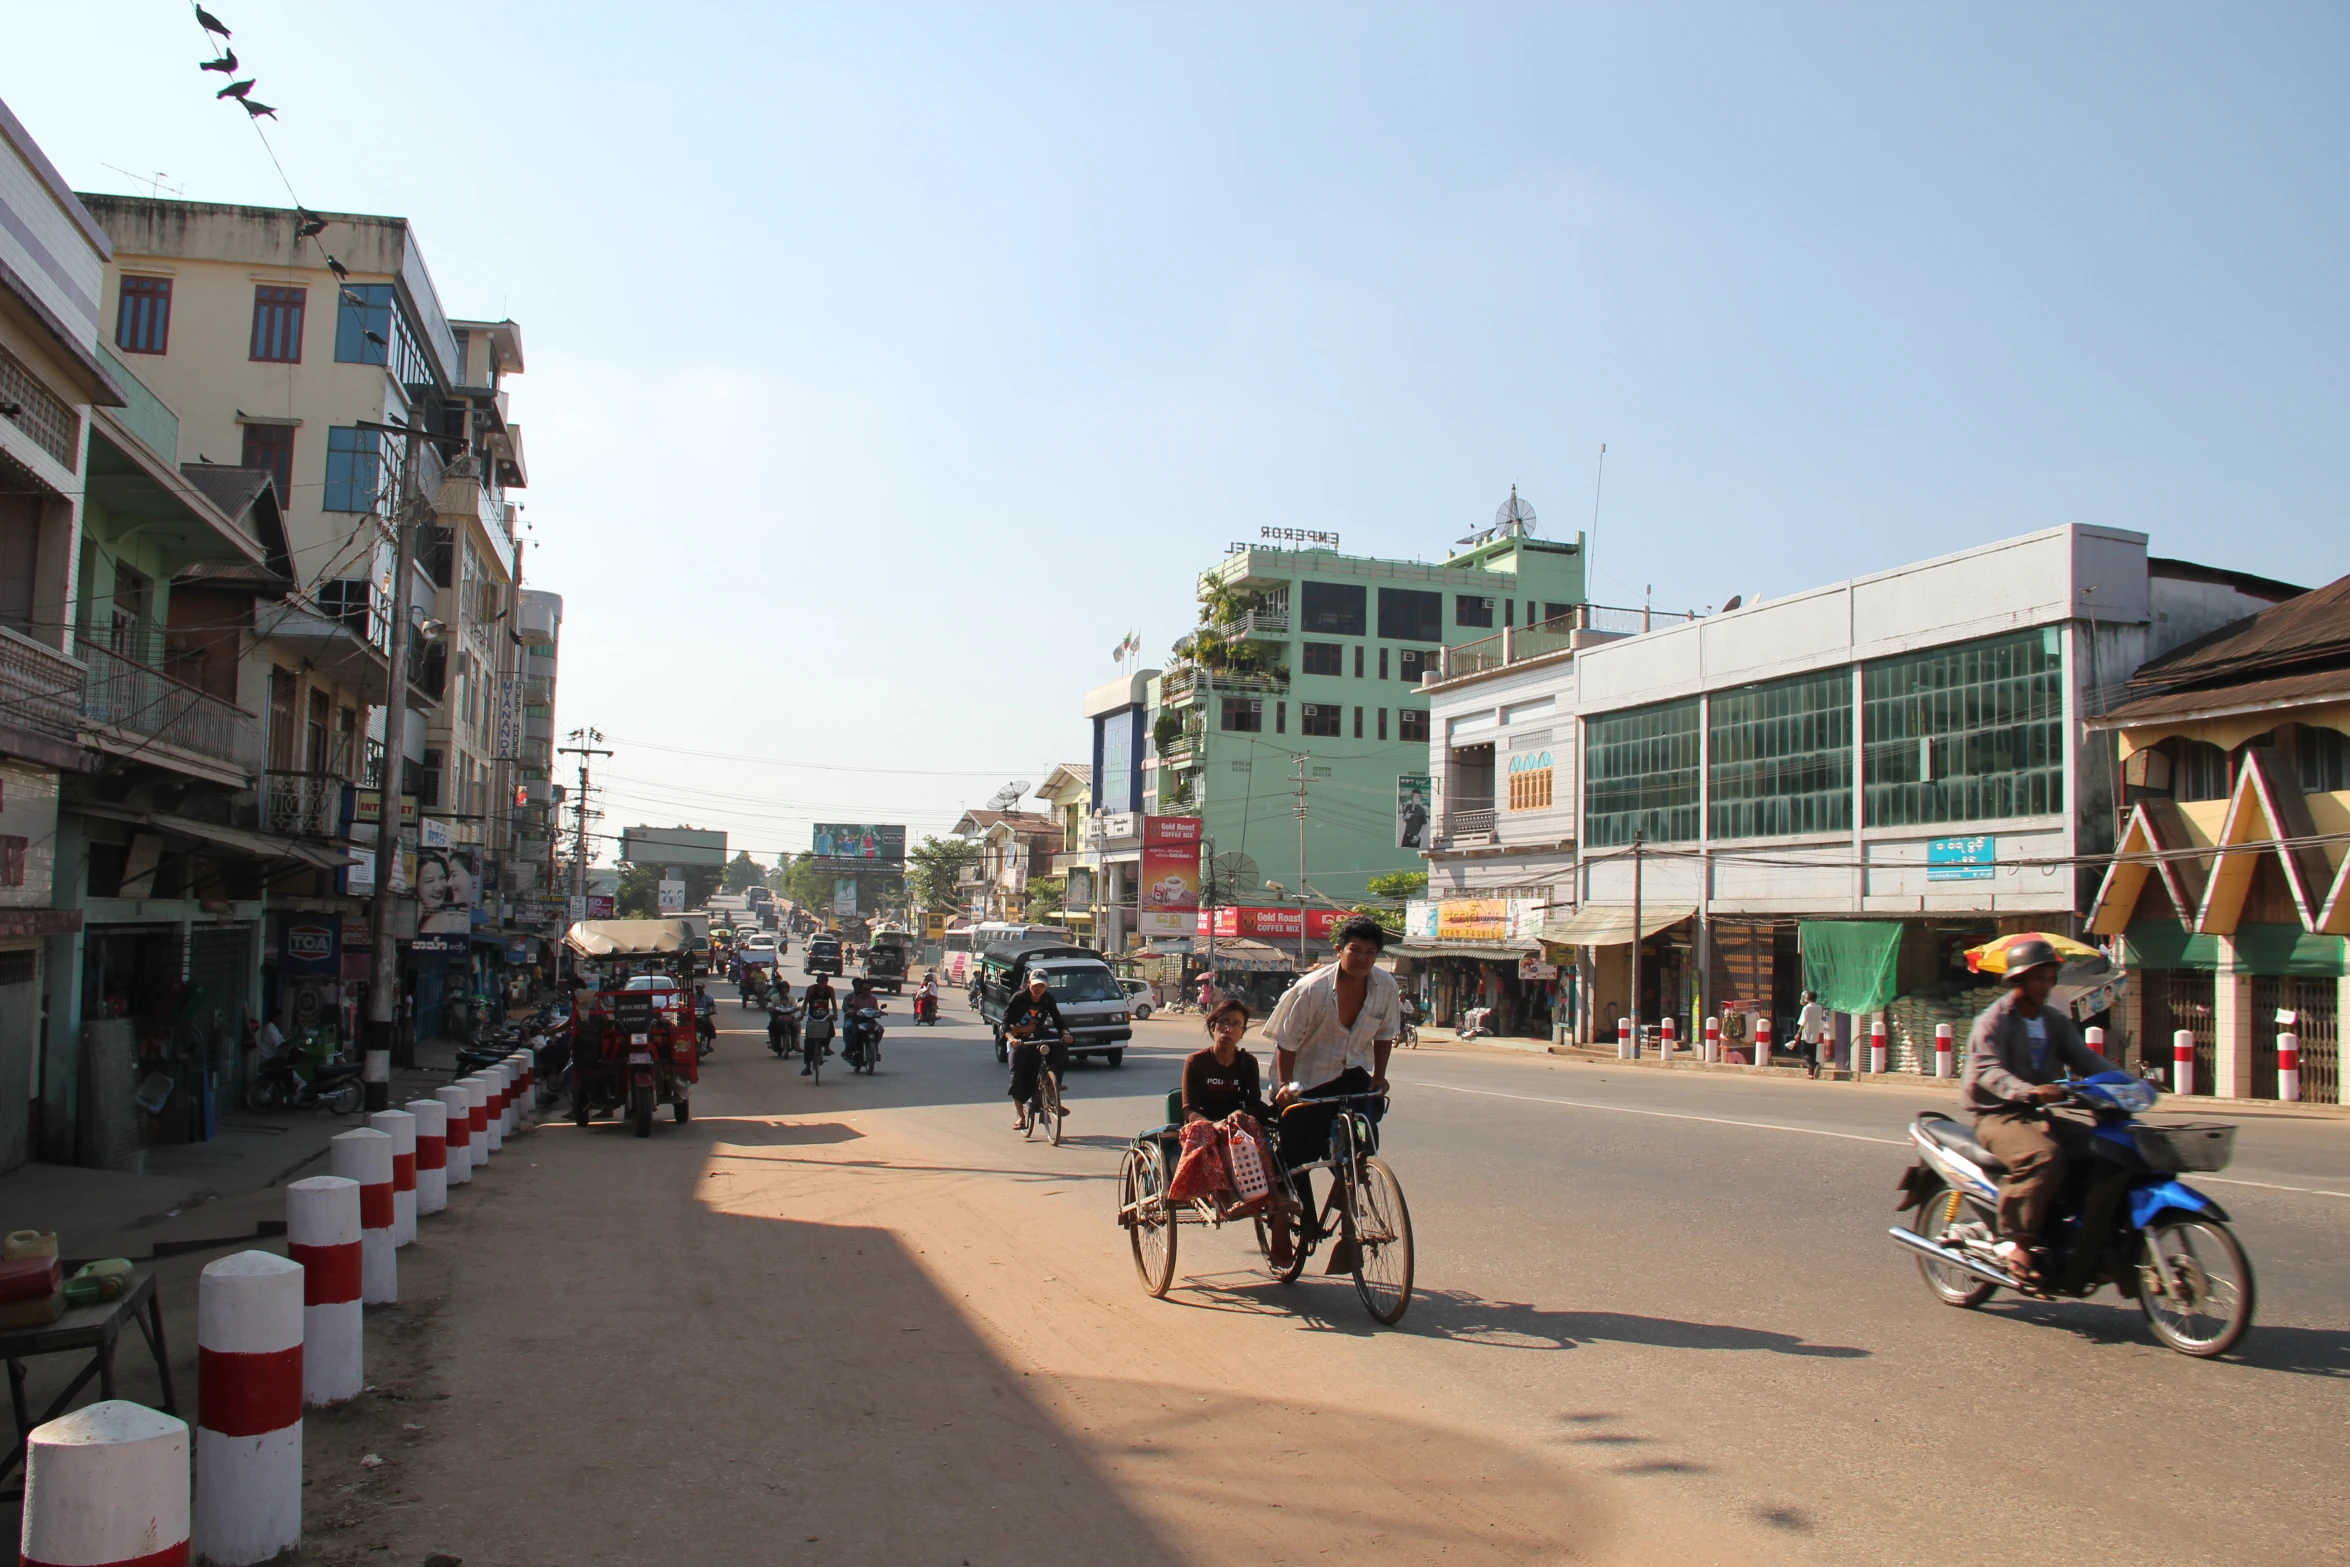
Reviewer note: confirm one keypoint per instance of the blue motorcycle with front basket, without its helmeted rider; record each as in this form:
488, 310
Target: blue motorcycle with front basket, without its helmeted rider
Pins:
2123, 1218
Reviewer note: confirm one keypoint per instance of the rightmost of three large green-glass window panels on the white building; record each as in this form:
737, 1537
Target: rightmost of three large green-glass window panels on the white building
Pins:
1966, 734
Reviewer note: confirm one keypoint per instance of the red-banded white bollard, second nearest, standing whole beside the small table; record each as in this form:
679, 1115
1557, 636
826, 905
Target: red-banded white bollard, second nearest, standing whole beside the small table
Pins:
248, 1427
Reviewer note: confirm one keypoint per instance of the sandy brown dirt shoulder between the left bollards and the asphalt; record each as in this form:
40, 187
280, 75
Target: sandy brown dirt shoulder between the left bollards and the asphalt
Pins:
901, 1336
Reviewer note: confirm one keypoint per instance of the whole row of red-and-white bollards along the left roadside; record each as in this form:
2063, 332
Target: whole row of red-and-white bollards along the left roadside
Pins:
109, 1484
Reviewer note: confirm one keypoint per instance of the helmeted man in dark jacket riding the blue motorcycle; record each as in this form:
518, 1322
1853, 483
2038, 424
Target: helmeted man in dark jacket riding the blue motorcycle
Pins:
2015, 1058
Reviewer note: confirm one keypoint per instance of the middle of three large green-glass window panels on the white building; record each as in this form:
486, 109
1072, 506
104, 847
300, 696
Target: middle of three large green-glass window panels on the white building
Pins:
1780, 758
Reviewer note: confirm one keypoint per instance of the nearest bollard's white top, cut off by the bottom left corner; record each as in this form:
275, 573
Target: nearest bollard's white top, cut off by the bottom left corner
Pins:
107, 1488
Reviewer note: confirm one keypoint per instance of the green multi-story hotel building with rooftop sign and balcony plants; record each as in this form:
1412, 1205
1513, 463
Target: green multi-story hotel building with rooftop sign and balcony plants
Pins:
1303, 692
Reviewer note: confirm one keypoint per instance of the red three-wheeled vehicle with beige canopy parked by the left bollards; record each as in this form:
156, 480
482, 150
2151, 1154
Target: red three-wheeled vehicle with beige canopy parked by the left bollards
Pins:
633, 1044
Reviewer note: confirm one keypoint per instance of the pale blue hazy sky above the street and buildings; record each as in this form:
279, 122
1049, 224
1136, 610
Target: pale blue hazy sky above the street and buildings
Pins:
889, 363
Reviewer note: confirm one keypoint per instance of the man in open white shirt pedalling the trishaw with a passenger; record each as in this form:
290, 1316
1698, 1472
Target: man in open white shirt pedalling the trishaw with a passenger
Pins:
1331, 1037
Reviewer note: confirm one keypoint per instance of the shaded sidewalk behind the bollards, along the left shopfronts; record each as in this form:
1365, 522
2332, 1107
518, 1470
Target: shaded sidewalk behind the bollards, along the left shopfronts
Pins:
196, 1195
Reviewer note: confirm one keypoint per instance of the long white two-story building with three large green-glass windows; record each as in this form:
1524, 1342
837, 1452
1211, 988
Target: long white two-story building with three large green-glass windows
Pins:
1851, 783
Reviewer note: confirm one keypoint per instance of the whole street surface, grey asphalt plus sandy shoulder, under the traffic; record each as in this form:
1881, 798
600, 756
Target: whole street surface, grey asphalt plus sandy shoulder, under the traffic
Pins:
1658, 1319
